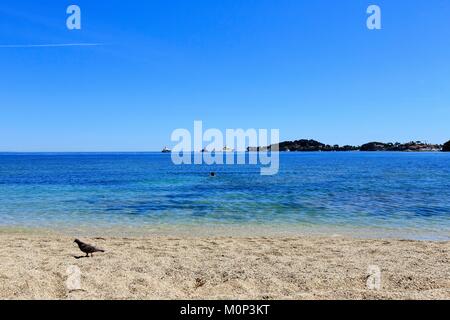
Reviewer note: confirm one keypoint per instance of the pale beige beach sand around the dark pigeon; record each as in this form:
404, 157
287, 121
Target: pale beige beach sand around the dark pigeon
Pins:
36, 267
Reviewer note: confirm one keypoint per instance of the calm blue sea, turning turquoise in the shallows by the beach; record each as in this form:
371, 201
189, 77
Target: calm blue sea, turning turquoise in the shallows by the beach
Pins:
404, 195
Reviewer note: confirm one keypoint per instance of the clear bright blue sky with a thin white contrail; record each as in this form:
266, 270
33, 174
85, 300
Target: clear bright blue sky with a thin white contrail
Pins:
138, 70
